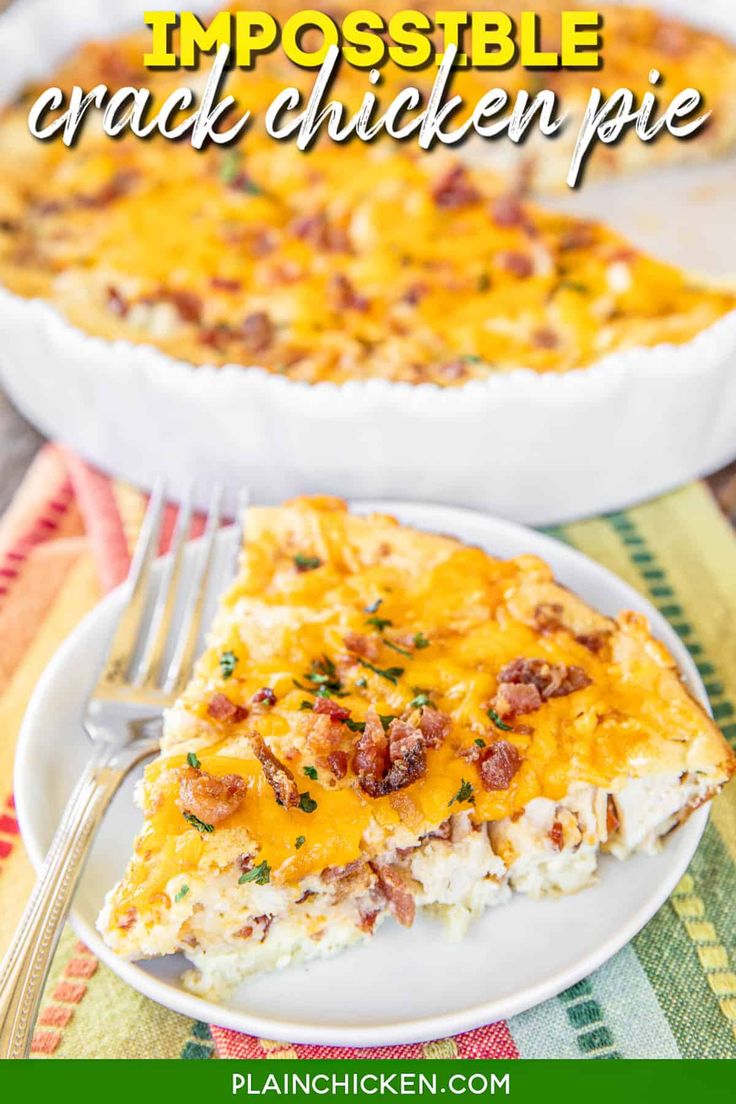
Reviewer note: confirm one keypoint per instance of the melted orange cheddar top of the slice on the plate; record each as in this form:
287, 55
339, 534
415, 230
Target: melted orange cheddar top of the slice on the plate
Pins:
442, 621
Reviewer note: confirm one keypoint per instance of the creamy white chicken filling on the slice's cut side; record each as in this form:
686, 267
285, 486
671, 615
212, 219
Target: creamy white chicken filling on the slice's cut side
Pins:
455, 873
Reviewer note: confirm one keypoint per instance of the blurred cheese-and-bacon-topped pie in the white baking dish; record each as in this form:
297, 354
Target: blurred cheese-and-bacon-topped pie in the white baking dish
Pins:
348, 262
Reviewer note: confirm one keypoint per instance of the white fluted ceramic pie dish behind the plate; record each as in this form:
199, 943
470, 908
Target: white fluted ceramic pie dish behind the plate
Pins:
536, 449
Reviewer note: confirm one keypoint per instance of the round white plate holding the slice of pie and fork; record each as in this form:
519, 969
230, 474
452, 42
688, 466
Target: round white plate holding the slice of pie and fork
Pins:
403, 986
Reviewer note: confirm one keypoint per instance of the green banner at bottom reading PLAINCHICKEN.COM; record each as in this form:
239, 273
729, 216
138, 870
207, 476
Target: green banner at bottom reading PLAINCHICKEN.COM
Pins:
369, 1080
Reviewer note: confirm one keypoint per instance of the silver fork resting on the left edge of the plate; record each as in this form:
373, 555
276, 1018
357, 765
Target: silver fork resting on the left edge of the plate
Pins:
123, 719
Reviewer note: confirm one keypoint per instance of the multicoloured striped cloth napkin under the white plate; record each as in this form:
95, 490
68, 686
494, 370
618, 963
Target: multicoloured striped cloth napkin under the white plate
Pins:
671, 993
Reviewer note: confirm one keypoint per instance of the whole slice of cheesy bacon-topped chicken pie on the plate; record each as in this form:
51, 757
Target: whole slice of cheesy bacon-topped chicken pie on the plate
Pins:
387, 720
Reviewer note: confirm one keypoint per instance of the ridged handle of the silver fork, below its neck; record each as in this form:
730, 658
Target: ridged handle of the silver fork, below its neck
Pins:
26, 968
